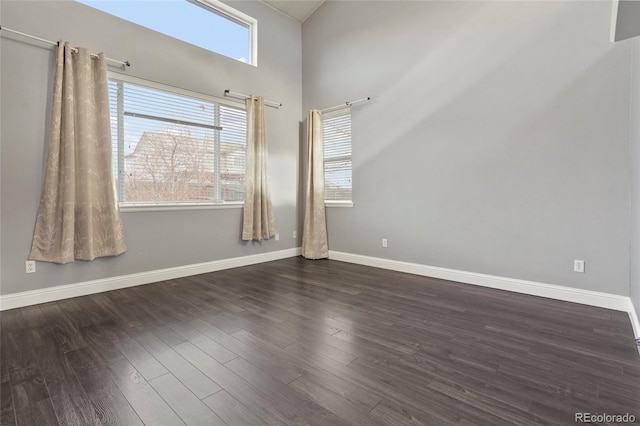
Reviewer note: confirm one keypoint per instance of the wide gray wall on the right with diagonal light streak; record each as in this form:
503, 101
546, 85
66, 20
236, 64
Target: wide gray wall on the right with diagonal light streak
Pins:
497, 140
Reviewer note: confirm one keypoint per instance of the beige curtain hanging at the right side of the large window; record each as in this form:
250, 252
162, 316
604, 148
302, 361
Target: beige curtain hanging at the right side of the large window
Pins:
258, 222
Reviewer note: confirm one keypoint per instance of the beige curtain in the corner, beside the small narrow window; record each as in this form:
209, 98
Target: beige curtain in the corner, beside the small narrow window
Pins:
314, 234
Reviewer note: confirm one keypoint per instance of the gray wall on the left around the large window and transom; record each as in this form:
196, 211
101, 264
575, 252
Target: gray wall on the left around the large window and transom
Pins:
156, 239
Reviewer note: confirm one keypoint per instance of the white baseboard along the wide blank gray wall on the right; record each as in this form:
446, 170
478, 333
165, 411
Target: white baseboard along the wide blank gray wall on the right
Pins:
585, 297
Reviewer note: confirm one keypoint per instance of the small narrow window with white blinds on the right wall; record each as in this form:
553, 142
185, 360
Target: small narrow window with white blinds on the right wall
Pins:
336, 130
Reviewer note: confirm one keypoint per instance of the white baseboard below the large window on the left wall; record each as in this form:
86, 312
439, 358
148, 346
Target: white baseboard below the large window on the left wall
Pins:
34, 297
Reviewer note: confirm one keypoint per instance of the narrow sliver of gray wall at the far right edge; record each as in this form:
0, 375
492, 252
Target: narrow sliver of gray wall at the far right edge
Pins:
634, 157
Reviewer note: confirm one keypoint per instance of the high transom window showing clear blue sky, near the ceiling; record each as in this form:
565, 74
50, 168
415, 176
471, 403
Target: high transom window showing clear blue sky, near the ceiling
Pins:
209, 24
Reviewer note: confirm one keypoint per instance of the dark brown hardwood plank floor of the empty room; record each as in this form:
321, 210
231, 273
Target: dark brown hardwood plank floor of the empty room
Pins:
298, 342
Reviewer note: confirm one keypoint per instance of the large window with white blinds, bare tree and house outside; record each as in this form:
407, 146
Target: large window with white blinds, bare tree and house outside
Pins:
176, 148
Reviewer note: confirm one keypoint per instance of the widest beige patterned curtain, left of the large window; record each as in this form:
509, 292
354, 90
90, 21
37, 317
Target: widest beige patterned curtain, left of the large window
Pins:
78, 216
